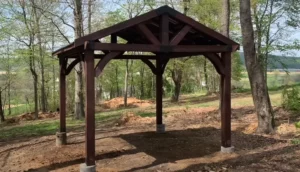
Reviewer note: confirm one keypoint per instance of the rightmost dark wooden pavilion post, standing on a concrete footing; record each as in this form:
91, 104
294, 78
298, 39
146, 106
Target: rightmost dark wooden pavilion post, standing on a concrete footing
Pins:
226, 104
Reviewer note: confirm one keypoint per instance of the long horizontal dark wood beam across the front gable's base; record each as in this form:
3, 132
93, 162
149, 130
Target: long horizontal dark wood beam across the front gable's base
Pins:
163, 49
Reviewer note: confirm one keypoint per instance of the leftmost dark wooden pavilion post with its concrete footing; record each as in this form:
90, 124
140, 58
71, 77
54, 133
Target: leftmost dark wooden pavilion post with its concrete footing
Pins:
61, 136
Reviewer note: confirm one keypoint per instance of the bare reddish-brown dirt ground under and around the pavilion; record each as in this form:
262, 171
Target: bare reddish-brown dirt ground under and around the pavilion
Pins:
191, 143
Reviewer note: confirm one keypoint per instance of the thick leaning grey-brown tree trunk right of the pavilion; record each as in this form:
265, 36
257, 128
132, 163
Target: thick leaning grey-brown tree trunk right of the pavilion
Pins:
255, 72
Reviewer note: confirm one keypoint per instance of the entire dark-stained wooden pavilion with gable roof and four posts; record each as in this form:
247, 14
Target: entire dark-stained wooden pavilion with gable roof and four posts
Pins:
163, 33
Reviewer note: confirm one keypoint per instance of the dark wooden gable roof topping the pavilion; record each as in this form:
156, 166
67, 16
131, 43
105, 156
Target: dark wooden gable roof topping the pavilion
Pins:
128, 30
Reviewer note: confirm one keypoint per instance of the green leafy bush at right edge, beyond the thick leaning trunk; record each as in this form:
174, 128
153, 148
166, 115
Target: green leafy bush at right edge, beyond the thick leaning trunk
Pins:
291, 99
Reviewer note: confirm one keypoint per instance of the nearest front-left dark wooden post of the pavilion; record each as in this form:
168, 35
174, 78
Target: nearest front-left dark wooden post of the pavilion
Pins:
90, 108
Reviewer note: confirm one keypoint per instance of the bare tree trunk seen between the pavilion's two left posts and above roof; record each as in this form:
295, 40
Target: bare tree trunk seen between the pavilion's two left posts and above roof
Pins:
79, 103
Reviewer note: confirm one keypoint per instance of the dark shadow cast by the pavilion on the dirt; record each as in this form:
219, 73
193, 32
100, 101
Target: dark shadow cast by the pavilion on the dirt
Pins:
173, 146
